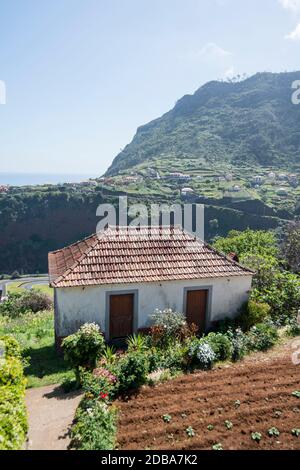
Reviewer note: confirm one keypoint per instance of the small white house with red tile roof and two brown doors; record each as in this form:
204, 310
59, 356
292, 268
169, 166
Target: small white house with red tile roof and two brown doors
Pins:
118, 277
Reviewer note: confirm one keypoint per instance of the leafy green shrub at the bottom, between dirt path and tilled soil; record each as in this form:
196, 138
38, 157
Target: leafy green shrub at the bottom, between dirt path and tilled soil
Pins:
94, 427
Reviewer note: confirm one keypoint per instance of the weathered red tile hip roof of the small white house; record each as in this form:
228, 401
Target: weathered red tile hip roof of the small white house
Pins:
124, 255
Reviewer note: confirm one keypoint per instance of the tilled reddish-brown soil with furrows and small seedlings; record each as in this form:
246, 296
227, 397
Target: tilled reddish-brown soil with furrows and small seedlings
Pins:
263, 388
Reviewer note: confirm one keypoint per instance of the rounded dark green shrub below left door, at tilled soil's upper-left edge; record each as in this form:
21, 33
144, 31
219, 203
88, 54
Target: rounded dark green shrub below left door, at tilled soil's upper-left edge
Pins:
132, 371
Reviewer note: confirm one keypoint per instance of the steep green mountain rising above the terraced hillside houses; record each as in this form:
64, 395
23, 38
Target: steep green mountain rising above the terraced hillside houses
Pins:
251, 122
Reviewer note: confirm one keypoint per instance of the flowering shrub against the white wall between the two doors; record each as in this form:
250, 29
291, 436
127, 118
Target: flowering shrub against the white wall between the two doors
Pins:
167, 327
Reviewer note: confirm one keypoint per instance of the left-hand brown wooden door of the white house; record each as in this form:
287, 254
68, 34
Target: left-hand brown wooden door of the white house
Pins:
121, 315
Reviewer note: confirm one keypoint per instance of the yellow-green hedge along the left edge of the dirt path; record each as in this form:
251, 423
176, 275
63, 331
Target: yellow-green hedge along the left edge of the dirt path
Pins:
13, 415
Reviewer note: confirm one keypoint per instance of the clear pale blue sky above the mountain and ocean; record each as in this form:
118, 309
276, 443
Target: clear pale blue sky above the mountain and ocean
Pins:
82, 75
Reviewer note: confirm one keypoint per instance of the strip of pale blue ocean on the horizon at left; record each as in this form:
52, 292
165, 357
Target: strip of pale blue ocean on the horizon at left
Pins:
24, 179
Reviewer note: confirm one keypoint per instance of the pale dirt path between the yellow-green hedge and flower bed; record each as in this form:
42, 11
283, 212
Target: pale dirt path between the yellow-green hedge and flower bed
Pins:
51, 413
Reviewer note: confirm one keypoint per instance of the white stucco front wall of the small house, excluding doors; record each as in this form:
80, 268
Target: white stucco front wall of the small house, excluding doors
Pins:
76, 306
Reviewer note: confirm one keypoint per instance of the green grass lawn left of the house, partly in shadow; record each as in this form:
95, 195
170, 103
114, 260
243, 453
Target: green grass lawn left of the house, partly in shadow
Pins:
35, 333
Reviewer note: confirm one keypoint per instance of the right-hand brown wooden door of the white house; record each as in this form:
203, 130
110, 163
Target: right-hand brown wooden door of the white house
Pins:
196, 307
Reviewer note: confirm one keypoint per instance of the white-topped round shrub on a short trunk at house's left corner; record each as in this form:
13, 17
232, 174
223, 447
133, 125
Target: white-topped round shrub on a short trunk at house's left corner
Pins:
84, 348
